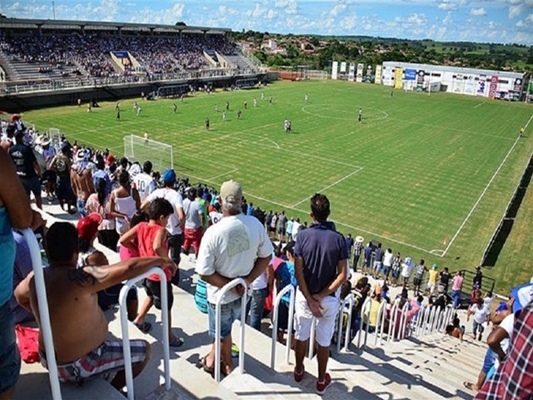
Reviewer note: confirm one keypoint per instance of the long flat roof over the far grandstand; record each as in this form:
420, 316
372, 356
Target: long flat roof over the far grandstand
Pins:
16, 23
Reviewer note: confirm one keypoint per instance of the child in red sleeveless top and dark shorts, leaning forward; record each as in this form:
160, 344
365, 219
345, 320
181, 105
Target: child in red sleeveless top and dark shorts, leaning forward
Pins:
151, 241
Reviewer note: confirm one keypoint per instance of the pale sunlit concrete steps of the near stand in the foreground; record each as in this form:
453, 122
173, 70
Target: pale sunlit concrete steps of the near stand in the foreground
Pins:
430, 367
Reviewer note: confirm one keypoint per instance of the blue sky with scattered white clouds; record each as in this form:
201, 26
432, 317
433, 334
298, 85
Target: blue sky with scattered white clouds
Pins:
492, 21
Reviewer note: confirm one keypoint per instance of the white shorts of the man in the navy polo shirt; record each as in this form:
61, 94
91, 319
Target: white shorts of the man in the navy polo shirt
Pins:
325, 326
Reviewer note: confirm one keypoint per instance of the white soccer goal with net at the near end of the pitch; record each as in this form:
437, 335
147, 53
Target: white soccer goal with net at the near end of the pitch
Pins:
139, 149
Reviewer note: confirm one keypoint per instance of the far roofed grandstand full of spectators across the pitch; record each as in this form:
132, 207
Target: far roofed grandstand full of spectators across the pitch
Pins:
39, 56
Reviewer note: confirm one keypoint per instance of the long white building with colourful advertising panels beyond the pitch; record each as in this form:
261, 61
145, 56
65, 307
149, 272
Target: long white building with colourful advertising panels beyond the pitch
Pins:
470, 81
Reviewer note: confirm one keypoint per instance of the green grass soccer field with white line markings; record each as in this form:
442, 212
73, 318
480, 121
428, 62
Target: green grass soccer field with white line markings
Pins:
429, 176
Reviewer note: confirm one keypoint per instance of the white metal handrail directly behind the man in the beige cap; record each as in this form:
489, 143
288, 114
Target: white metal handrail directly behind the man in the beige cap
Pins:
218, 322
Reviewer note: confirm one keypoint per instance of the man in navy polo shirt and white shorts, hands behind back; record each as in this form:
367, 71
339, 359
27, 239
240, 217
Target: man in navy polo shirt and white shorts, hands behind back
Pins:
320, 268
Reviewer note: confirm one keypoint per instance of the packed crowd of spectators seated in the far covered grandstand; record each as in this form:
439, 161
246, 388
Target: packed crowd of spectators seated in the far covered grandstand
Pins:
90, 53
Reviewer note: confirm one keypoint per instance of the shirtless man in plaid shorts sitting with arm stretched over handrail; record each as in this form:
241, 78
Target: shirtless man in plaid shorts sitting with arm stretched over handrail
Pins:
79, 326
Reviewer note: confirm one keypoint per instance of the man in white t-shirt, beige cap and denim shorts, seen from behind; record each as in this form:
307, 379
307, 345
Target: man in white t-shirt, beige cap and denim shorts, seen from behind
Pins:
235, 247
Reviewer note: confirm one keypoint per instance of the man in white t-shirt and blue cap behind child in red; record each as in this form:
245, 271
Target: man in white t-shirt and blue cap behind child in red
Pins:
176, 220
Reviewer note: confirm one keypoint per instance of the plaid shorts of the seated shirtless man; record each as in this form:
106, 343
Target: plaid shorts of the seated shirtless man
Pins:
104, 361
